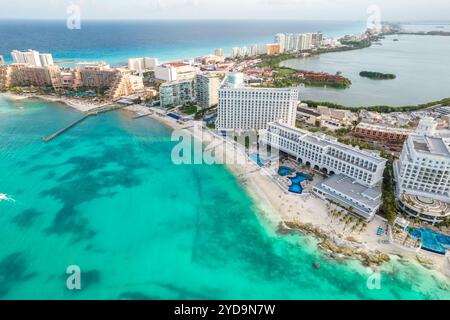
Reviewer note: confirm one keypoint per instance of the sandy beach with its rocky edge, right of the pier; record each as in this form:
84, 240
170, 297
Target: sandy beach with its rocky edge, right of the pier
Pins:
289, 209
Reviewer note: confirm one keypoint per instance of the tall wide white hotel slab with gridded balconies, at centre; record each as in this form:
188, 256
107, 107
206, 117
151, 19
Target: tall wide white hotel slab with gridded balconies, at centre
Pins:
244, 108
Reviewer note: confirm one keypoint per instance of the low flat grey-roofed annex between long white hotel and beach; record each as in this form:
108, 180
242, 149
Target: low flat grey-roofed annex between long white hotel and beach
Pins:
364, 201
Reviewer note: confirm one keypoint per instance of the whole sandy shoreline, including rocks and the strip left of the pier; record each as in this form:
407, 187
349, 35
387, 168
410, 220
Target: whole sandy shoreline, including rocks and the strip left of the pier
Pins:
278, 205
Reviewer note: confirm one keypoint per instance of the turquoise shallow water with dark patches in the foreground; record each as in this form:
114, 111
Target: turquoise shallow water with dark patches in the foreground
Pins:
106, 196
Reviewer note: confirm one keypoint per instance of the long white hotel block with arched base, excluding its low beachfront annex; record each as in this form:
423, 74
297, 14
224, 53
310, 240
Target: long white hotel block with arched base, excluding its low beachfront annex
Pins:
326, 153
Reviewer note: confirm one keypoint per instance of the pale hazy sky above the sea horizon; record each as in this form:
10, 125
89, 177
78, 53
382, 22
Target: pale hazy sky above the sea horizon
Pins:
350, 10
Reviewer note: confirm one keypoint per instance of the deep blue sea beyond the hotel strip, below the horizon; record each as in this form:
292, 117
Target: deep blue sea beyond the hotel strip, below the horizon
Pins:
116, 41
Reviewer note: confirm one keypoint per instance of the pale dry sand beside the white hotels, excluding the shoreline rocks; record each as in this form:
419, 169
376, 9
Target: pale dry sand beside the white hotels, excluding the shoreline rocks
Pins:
280, 205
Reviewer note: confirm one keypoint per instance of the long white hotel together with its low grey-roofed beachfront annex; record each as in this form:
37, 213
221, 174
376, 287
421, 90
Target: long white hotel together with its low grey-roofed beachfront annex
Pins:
356, 174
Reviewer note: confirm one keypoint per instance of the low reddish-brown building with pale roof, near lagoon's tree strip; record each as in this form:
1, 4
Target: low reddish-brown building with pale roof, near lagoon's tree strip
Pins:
382, 133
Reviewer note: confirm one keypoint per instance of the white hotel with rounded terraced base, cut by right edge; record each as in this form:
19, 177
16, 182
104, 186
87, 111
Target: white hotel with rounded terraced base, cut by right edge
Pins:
422, 174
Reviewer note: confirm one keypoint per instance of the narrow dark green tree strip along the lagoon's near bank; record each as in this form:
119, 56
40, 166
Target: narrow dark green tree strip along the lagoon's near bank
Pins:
381, 109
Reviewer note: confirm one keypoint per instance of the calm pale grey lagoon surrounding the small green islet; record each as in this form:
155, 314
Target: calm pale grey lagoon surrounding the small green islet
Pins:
420, 63
